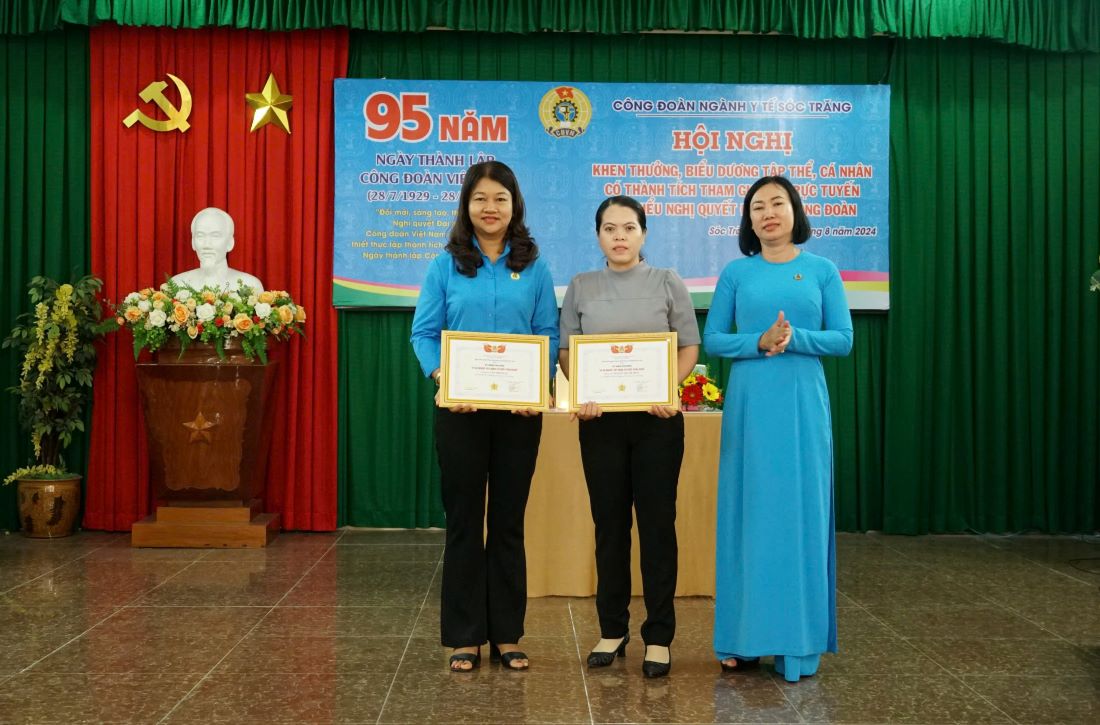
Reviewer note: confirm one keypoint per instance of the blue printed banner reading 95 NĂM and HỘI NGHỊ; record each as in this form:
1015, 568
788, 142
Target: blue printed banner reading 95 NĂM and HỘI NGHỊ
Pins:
688, 152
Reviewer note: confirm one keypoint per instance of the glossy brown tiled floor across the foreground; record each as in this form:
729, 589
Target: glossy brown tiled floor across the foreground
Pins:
344, 629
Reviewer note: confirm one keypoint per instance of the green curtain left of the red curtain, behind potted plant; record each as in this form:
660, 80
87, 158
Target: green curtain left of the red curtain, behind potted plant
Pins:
43, 201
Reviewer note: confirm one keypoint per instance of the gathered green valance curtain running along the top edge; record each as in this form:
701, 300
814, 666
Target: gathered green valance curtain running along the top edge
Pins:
1068, 26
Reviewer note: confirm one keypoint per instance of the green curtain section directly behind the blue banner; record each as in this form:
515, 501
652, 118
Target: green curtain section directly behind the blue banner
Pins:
383, 393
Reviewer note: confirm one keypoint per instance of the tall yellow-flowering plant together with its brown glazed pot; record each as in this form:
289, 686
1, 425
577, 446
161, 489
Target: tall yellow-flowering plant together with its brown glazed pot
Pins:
57, 340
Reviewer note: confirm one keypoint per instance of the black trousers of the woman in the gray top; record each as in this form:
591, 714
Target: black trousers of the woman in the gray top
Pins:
633, 459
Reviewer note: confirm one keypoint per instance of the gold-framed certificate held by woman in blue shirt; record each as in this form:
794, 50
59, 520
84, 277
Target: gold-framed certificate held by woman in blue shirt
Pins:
502, 372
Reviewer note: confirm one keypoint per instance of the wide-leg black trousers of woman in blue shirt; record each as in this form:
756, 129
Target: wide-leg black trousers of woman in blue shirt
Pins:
485, 576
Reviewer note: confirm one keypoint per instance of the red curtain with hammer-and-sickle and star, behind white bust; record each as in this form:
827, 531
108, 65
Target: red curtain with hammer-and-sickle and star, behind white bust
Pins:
147, 186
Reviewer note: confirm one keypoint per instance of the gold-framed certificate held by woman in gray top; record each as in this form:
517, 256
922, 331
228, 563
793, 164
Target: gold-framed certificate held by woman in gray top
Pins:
623, 372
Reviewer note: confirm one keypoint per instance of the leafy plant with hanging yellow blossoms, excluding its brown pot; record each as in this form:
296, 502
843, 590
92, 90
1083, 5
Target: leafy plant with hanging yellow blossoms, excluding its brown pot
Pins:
58, 342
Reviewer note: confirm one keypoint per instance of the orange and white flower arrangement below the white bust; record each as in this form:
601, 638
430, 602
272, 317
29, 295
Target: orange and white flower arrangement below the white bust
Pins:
212, 316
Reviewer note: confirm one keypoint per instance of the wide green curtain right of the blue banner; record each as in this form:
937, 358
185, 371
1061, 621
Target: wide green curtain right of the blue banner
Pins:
995, 344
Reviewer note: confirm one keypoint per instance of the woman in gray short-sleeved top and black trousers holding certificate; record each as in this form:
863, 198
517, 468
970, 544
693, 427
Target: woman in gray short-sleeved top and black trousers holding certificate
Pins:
632, 459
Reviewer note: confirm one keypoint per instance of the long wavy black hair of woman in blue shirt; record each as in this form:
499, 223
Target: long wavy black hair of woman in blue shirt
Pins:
461, 239
